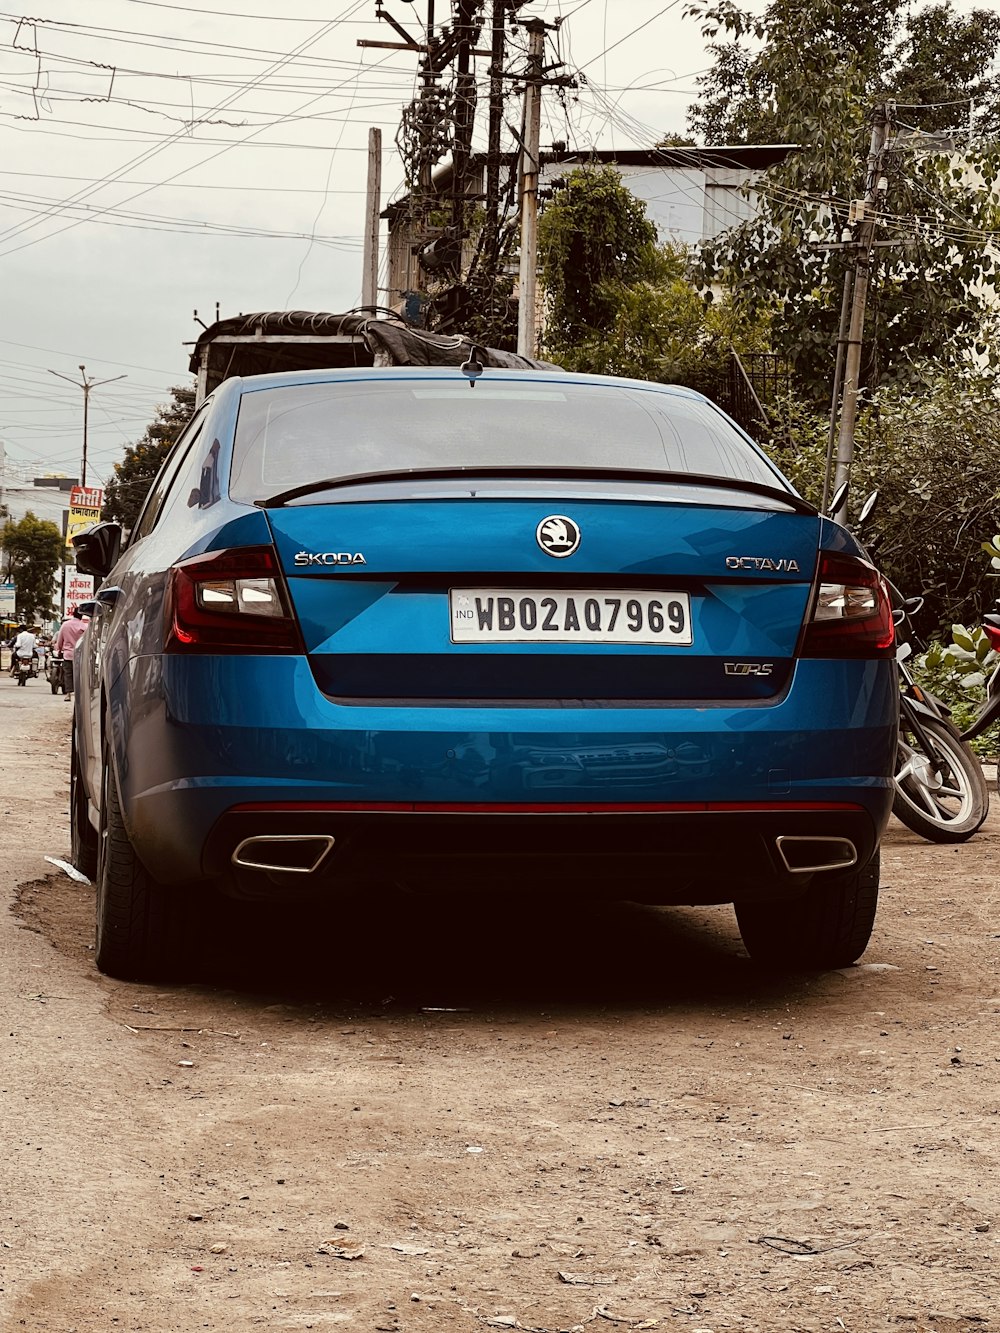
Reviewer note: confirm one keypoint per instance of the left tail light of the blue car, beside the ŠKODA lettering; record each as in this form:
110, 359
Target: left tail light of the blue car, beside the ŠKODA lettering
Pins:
231, 602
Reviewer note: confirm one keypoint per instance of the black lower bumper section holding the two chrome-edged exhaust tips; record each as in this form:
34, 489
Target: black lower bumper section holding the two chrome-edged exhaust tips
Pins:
662, 855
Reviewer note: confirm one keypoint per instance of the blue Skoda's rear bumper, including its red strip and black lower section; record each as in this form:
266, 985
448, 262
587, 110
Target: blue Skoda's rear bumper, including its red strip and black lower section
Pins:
225, 748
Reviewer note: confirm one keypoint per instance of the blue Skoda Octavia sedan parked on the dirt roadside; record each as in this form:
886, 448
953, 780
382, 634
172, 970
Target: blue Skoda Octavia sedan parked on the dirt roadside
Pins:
485, 634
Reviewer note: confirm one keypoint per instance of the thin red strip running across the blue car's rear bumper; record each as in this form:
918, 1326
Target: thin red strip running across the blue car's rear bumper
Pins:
525, 808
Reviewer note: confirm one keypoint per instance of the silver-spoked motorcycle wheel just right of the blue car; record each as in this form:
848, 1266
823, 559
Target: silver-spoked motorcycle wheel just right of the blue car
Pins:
947, 808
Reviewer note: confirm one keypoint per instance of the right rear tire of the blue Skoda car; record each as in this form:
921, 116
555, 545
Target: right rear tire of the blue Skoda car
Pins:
829, 924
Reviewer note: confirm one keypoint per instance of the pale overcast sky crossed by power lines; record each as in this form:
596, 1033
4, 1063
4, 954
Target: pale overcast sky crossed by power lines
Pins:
118, 218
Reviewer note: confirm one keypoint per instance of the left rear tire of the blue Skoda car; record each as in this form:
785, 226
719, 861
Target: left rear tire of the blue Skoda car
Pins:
141, 923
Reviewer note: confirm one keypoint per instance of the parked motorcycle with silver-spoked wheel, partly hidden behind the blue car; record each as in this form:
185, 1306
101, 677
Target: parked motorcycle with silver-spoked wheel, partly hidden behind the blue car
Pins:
942, 792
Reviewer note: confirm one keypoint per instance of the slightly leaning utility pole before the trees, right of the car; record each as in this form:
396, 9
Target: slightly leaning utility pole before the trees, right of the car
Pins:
865, 214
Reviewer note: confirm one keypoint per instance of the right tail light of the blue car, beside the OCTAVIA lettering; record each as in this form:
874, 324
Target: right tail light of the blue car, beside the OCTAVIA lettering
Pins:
853, 614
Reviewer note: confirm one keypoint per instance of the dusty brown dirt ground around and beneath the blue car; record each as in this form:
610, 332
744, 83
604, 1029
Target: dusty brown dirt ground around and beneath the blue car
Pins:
461, 1118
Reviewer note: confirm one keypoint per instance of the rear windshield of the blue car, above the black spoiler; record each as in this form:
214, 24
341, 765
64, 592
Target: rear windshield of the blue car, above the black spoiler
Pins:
311, 433
